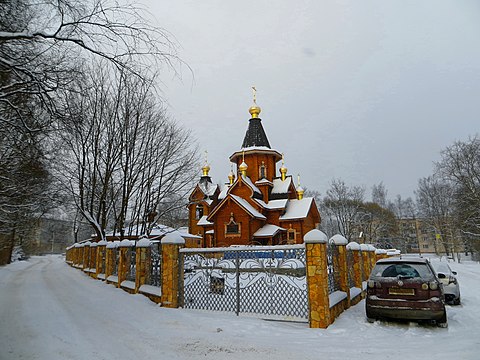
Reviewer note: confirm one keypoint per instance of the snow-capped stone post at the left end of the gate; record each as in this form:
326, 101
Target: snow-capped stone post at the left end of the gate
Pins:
171, 245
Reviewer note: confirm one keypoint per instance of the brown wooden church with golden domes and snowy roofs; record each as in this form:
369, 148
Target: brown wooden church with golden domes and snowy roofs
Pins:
258, 205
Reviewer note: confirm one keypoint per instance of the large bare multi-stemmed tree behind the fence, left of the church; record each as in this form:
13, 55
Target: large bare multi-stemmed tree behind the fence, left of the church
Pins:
126, 159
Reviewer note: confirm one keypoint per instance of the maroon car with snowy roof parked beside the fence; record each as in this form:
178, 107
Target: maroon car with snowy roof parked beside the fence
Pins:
405, 288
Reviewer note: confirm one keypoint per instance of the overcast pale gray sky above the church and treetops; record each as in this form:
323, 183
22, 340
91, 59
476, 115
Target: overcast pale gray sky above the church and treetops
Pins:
365, 91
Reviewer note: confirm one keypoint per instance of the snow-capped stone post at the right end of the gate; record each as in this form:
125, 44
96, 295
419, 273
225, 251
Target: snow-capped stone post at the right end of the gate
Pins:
317, 278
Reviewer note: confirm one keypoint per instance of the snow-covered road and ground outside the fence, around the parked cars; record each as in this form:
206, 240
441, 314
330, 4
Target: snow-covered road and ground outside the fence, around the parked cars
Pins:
51, 311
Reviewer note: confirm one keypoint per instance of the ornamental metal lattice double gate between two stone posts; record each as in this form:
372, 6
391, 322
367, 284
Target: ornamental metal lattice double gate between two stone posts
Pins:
266, 280
